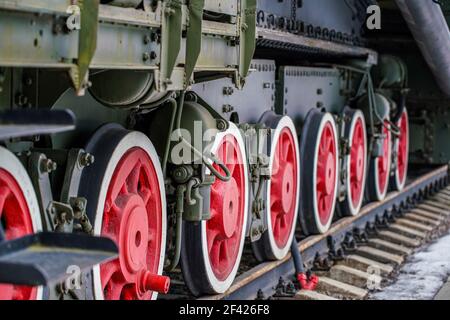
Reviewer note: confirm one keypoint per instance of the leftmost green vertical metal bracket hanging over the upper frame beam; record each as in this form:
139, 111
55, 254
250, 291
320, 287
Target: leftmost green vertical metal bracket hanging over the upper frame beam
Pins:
87, 42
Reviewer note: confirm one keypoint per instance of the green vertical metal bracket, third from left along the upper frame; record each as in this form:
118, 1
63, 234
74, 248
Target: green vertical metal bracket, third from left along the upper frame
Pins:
194, 36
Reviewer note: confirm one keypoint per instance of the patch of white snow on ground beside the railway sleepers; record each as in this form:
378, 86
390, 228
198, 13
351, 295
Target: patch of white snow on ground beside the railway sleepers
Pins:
422, 276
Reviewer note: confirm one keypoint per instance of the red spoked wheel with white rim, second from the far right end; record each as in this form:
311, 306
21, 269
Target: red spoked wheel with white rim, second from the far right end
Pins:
379, 170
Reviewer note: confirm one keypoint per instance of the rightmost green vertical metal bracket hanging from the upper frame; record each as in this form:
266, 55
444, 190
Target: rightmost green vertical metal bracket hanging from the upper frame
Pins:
247, 38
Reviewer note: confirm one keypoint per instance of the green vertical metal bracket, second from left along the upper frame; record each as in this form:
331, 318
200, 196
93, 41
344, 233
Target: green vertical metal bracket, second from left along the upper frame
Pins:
171, 39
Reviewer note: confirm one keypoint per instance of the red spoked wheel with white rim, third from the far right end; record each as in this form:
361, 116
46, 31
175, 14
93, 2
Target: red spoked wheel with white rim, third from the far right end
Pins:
356, 163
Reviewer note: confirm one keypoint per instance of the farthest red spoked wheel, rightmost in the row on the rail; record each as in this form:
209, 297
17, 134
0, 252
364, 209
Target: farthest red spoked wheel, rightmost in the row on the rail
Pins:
401, 154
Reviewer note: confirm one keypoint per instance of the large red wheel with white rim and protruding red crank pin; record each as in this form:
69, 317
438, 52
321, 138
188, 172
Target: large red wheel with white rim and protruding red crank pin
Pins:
126, 190
